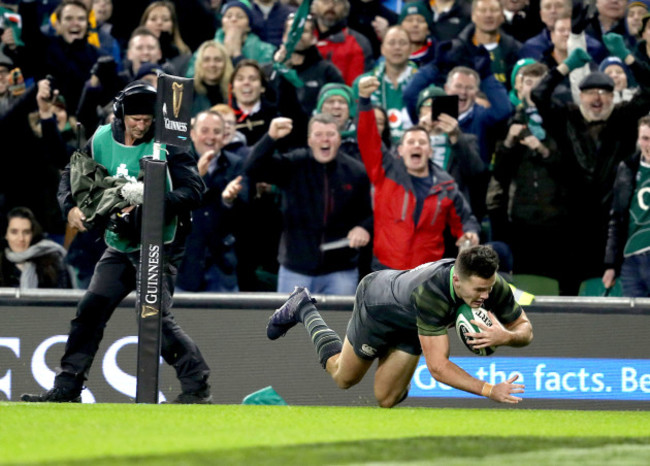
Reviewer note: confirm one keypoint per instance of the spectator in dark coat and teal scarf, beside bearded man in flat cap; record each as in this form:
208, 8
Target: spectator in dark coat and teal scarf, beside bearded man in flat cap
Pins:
528, 167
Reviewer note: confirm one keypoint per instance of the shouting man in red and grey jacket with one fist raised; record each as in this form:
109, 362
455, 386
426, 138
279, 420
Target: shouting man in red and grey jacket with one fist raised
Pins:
414, 199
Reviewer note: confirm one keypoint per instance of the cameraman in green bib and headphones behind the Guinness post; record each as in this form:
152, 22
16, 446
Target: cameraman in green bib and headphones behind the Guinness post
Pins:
119, 148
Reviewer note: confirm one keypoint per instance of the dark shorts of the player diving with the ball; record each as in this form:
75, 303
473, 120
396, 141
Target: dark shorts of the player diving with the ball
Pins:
378, 325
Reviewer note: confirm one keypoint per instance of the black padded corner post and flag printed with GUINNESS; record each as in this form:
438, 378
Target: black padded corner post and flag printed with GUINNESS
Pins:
173, 110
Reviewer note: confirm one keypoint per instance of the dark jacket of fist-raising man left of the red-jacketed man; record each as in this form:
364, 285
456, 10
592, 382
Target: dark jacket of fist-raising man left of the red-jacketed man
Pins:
320, 203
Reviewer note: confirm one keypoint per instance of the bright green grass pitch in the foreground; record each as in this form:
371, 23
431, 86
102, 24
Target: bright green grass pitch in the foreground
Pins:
117, 434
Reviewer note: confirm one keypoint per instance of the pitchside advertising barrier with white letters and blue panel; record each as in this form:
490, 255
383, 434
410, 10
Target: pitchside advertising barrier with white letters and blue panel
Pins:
588, 353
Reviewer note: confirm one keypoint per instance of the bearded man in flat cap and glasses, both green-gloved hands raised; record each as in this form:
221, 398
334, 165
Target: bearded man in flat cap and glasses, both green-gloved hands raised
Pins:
594, 137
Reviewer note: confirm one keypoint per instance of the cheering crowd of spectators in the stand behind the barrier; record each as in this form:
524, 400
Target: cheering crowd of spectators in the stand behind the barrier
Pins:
325, 154
